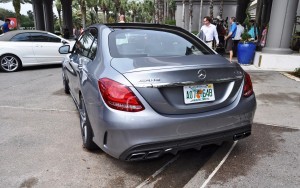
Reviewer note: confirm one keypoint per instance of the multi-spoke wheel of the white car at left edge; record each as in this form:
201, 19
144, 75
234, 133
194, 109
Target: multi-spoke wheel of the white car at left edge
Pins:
10, 63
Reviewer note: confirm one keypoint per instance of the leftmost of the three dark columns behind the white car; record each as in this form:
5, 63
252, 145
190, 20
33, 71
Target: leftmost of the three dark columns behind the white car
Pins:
38, 15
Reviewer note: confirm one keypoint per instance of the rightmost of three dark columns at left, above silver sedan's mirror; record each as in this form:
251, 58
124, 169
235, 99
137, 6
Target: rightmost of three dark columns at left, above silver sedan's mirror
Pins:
67, 16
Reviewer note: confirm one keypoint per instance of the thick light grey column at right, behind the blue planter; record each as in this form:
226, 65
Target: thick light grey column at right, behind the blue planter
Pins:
281, 27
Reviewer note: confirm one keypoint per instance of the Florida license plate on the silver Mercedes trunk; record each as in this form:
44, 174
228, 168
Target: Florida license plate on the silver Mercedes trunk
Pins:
198, 93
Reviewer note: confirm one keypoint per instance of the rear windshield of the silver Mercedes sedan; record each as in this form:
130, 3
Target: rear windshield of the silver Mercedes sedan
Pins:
151, 43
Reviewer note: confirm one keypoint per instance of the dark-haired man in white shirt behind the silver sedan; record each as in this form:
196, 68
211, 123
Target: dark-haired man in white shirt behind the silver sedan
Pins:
209, 32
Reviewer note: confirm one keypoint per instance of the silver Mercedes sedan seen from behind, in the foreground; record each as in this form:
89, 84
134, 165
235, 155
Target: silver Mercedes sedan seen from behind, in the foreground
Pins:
162, 93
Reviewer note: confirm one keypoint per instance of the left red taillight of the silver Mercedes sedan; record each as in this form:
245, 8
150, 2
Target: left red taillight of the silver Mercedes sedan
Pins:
119, 96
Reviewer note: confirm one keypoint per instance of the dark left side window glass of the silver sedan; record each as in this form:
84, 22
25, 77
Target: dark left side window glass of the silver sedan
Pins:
87, 44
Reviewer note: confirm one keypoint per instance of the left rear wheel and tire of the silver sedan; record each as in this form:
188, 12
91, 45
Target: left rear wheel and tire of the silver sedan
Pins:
86, 129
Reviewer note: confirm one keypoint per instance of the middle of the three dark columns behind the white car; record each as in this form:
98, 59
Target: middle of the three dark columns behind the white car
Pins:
48, 15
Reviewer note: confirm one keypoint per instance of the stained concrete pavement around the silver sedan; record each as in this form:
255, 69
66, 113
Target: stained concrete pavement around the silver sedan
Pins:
41, 142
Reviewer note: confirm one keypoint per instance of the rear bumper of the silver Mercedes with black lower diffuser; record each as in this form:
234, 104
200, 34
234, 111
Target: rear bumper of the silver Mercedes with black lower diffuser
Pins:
121, 134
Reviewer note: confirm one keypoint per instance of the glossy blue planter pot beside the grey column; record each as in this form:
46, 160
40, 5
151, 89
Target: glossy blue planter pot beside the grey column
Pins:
246, 52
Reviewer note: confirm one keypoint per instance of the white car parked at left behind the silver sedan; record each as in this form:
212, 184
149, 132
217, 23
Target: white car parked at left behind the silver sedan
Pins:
21, 48
